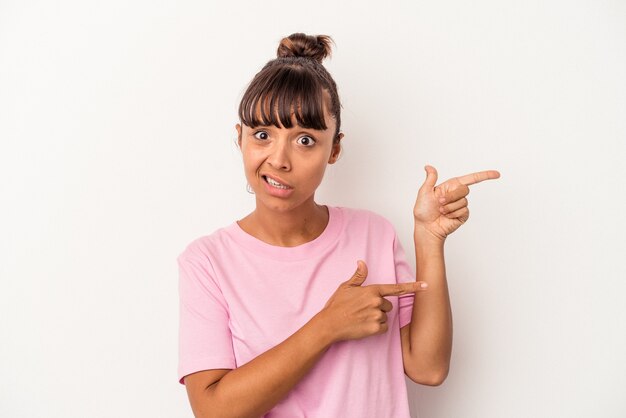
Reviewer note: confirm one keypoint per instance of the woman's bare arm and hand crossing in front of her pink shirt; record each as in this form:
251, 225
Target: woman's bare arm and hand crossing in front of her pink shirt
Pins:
352, 312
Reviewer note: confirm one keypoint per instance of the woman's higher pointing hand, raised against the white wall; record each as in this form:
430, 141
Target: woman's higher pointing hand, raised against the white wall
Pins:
441, 210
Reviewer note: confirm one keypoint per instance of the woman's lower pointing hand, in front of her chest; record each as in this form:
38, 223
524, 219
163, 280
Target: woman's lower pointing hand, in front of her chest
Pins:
356, 311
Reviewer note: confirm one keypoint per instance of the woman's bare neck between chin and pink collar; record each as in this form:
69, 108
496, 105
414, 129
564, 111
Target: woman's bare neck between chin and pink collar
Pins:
286, 229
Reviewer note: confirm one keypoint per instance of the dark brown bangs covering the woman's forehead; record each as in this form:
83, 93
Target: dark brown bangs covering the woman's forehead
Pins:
279, 94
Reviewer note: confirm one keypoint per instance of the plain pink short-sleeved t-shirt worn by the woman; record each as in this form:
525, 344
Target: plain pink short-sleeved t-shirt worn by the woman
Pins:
240, 296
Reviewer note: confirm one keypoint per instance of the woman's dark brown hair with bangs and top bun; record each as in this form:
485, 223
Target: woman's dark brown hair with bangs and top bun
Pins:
293, 84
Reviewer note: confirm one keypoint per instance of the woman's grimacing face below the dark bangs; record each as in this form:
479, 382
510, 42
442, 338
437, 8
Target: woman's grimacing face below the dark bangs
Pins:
284, 166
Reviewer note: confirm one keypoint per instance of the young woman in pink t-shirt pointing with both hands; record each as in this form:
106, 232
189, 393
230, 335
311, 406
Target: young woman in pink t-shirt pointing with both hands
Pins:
306, 310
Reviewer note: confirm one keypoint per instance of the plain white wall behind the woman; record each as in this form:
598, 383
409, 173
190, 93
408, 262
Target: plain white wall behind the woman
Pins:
116, 128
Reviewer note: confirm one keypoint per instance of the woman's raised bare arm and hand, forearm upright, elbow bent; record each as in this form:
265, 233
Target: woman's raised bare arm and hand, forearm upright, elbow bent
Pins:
439, 211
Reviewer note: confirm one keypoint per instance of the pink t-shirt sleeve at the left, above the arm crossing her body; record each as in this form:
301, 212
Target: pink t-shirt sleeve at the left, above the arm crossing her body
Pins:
205, 340
